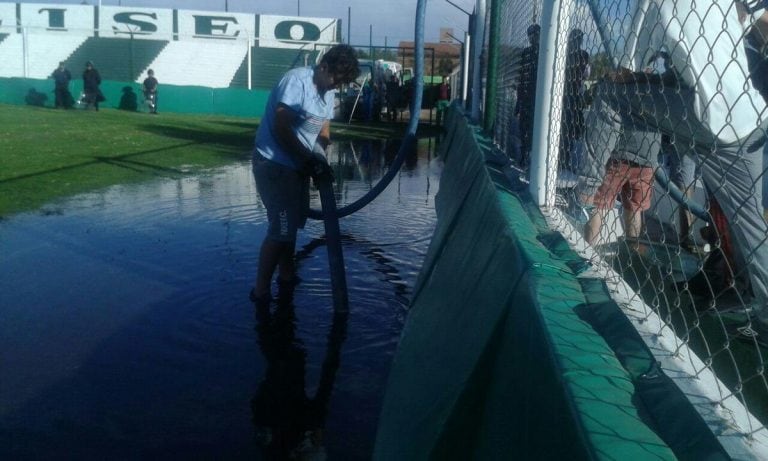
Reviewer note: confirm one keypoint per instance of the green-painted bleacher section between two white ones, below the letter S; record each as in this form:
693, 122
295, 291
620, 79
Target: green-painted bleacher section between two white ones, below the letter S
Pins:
116, 58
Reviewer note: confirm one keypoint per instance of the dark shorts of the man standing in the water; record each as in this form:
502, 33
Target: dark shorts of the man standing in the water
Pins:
285, 194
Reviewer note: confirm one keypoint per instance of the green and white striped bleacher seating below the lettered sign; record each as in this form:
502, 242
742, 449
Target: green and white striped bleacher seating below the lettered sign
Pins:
215, 64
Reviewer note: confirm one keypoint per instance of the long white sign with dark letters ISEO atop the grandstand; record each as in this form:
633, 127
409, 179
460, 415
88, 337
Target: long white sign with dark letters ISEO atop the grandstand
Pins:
166, 24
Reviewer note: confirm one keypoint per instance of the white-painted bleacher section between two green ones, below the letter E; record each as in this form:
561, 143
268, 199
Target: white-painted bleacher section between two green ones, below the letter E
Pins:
201, 63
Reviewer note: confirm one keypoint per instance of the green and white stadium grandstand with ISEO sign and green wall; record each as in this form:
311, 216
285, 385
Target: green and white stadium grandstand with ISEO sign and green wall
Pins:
197, 56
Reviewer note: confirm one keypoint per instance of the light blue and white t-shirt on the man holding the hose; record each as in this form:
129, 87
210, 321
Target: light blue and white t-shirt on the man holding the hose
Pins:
297, 91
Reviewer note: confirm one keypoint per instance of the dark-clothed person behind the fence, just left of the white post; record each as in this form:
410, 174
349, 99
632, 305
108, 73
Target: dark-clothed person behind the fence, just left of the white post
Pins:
526, 92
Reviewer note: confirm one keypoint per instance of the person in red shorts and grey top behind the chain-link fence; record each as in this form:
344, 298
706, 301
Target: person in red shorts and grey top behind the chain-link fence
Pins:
629, 175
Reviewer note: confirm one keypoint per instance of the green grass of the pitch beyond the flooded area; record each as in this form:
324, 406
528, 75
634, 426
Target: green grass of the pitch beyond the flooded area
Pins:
48, 154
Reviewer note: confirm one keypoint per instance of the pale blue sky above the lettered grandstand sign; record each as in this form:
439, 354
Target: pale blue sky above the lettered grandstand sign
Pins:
392, 20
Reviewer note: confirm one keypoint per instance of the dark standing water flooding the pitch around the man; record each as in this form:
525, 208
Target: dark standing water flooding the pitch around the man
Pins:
126, 330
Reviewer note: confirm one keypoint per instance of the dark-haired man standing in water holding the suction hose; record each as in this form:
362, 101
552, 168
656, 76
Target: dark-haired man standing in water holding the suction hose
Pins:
295, 127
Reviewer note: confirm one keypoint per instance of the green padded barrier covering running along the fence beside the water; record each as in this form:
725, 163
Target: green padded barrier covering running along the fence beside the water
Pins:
494, 361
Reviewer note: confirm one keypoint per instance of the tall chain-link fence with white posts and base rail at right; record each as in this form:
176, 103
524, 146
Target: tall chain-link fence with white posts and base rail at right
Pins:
640, 125
